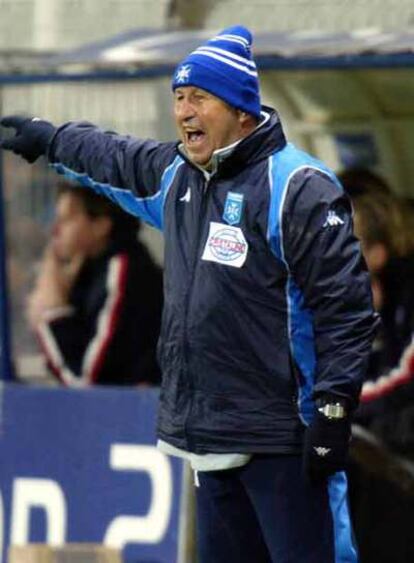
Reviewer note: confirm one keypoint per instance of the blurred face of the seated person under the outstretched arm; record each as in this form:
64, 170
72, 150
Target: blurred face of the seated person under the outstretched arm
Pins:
74, 232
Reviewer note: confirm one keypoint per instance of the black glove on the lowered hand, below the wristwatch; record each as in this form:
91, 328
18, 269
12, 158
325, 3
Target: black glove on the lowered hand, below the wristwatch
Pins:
326, 446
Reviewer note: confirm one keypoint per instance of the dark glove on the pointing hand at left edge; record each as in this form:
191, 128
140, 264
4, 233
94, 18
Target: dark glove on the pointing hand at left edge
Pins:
32, 136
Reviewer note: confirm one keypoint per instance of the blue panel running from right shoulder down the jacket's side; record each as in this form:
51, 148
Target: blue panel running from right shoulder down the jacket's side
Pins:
283, 166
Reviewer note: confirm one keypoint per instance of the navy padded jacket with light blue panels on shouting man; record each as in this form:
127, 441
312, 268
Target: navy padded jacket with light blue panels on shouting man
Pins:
267, 298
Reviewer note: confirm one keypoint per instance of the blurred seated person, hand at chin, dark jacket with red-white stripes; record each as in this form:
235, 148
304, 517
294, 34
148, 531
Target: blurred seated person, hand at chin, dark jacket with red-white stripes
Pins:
97, 300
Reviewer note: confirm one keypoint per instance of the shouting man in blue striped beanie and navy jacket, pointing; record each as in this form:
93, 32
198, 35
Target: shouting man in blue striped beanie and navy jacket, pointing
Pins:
268, 317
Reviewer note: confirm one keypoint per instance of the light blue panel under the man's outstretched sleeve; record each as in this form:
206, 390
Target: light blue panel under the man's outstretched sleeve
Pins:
150, 209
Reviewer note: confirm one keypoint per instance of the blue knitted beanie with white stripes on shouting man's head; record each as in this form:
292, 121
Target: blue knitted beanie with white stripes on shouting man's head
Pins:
224, 67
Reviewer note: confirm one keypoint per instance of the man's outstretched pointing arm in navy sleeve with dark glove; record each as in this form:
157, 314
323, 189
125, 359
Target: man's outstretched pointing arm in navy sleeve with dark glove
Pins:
134, 173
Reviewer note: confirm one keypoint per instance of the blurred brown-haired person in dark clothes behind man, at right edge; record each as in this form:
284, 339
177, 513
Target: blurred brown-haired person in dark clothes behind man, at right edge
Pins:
382, 511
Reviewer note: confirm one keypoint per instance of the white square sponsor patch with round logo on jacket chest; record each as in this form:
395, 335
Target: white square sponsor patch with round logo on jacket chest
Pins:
225, 245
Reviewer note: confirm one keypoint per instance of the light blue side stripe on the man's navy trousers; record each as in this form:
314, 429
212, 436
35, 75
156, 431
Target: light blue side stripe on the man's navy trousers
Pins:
345, 551
